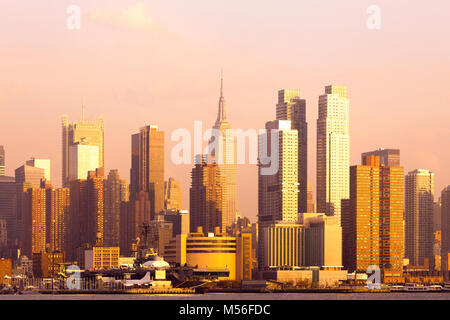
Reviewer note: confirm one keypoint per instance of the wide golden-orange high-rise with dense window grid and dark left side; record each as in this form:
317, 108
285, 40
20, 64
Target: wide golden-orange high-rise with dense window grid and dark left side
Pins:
372, 219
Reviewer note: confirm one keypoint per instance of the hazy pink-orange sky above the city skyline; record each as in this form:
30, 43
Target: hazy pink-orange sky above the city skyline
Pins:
158, 62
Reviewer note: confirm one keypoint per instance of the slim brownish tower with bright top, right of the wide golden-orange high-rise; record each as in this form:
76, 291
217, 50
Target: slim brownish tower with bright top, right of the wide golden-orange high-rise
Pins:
419, 210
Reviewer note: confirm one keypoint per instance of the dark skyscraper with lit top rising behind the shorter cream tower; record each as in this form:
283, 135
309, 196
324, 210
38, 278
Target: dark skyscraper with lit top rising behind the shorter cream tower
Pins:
291, 107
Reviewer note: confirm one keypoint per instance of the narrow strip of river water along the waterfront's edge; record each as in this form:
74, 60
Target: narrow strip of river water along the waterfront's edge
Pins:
242, 296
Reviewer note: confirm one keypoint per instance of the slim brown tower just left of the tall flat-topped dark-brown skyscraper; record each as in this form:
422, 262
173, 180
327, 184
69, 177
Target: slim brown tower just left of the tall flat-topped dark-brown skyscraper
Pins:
115, 192
